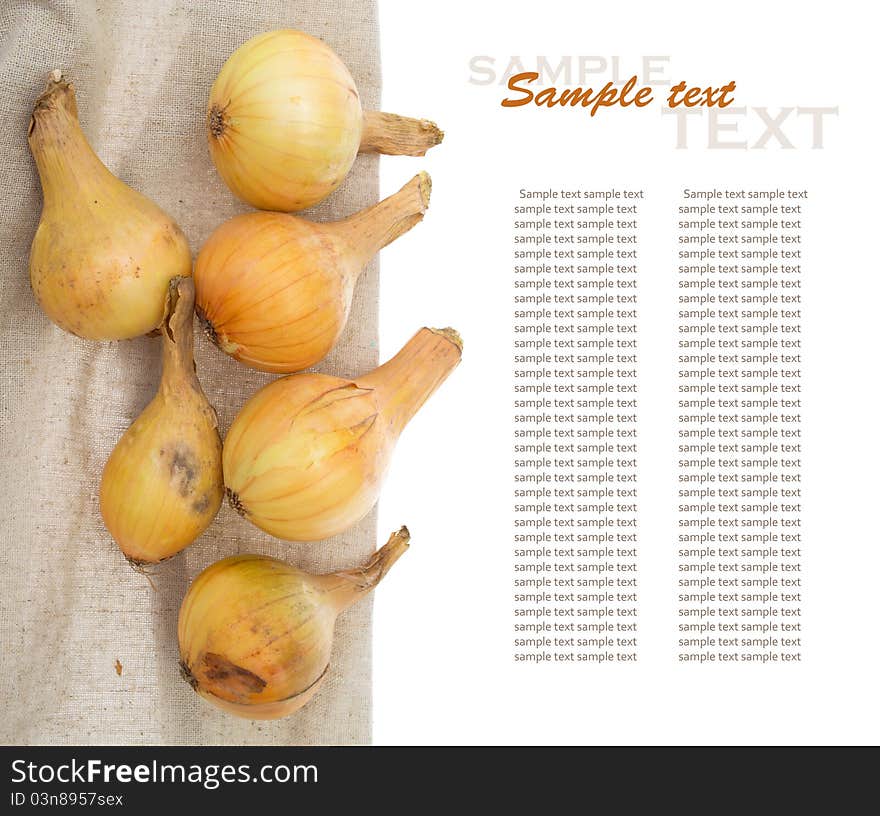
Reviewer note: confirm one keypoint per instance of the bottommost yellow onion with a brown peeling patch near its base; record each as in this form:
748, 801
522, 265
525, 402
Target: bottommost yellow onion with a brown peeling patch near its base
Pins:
256, 634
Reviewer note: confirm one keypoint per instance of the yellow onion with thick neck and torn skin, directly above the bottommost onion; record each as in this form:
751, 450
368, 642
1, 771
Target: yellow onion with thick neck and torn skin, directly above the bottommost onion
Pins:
305, 457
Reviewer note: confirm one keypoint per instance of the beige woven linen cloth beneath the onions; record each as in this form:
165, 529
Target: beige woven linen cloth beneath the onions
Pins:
70, 606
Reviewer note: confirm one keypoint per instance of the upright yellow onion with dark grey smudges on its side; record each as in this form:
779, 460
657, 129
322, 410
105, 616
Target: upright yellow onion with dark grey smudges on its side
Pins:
163, 482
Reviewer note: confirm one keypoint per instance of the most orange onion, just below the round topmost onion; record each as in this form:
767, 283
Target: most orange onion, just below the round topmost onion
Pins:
274, 290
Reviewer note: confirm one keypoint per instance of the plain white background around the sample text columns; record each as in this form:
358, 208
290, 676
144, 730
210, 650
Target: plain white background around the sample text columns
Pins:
443, 622
